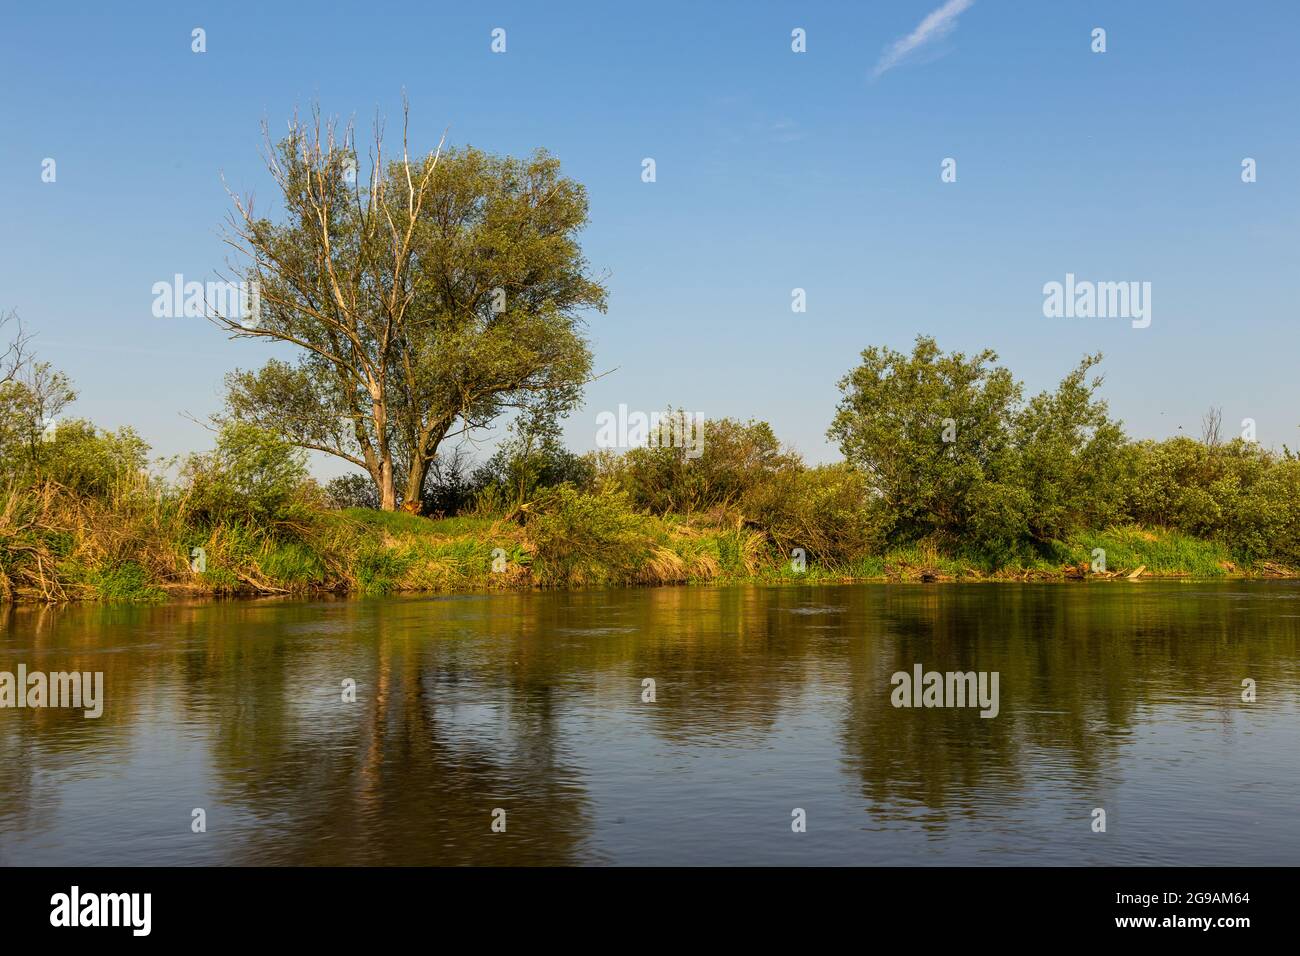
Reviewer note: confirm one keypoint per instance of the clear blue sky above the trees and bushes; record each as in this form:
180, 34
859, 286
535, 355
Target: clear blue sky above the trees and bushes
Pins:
774, 171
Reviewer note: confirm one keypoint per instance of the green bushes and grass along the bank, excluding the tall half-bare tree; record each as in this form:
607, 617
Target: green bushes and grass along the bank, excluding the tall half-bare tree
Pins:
1020, 490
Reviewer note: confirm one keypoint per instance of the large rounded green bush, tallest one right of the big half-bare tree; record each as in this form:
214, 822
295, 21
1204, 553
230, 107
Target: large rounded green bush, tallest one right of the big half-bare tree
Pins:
955, 455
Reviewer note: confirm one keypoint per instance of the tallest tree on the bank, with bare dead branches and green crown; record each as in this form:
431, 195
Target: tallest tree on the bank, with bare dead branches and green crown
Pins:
424, 301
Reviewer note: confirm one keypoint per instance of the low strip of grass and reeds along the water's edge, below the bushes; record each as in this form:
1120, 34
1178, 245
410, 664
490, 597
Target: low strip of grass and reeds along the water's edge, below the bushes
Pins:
88, 553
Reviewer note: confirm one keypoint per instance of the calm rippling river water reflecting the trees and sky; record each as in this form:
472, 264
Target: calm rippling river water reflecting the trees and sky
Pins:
773, 713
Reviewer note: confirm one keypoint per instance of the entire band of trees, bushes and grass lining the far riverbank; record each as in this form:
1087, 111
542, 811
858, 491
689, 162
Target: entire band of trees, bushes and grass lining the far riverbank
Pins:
441, 296
